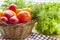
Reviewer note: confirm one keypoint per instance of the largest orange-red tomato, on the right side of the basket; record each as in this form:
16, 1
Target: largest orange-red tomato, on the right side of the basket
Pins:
24, 16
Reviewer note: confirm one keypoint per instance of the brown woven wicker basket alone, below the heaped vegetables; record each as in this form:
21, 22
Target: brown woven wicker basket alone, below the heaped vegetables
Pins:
18, 31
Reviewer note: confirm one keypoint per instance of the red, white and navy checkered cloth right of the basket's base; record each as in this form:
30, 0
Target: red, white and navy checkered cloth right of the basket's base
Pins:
35, 36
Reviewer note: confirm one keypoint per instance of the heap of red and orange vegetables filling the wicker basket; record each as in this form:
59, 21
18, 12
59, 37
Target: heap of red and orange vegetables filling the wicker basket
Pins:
15, 15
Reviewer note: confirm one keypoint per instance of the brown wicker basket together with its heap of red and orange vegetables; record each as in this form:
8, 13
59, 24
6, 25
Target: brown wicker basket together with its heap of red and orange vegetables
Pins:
17, 24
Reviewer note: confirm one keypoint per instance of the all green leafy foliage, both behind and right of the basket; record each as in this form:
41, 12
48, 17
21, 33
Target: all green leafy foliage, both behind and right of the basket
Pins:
47, 15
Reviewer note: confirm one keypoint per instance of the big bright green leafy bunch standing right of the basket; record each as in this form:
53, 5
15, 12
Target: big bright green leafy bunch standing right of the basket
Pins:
48, 18
